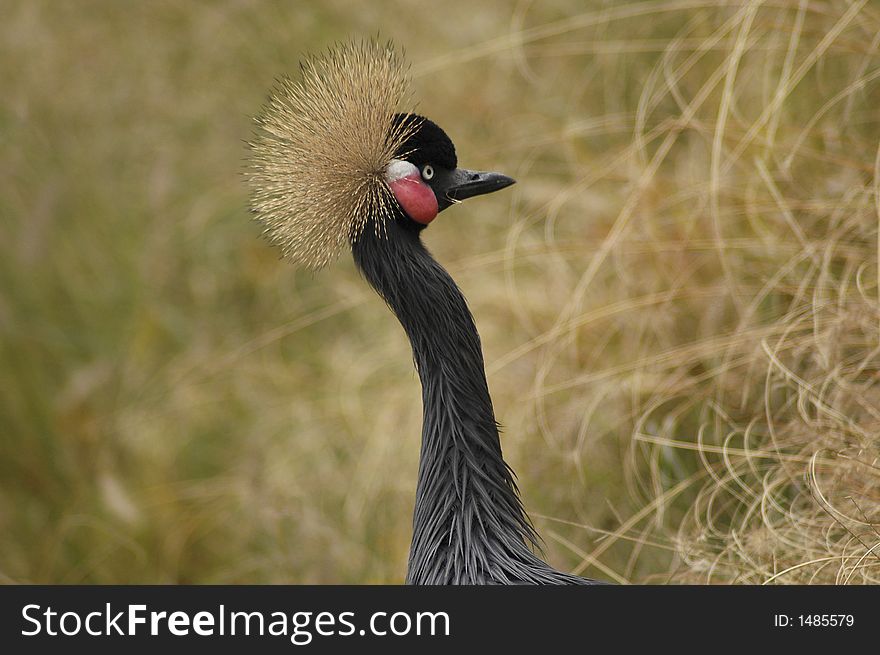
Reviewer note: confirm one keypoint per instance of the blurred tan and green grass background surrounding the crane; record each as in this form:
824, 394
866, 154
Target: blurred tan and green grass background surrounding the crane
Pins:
678, 301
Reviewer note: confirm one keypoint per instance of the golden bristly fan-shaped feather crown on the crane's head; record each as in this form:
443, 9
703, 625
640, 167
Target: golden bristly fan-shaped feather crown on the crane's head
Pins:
318, 158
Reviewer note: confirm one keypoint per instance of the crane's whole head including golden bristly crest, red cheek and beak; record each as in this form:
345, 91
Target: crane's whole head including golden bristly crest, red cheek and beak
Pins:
333, 154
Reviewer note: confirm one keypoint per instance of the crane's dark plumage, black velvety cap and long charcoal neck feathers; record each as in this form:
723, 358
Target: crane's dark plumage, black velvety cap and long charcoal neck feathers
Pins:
469, 525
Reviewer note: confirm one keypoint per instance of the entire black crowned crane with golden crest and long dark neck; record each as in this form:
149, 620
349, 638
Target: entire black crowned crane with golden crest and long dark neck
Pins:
335, 163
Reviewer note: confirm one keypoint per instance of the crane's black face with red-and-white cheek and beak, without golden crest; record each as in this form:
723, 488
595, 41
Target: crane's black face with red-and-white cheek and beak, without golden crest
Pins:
424, 175
